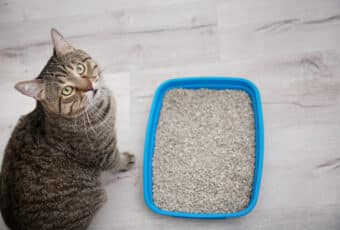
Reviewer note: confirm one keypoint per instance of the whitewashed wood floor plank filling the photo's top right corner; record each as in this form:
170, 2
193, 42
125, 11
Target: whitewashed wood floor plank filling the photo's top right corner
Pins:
274, 28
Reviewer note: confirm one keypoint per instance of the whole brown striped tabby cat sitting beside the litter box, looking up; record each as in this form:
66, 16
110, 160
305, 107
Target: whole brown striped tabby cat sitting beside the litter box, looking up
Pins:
52, 162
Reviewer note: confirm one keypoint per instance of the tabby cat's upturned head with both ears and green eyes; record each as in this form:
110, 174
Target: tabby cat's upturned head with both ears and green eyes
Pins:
68, 83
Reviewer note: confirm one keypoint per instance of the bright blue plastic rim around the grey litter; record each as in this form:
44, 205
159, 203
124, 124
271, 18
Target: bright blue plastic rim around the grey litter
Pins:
215, 83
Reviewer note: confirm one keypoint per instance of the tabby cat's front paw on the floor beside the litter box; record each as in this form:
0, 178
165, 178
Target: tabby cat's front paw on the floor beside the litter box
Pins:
119, 162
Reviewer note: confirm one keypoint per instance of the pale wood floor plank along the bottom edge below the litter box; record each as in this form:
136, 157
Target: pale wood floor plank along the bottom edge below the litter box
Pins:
281, 219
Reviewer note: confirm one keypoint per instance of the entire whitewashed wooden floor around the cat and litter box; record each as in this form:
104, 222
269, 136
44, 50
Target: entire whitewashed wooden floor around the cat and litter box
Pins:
289, 48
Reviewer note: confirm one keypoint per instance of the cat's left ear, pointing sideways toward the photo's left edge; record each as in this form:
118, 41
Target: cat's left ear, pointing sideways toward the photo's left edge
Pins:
34, 88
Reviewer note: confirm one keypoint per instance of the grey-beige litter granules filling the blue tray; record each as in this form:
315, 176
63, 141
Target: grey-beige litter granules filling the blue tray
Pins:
204, 151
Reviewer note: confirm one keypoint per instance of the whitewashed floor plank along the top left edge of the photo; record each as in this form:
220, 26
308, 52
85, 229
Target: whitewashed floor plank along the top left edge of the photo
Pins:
18, 11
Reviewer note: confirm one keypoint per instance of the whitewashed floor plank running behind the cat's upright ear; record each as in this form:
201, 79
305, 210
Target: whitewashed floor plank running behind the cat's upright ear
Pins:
122, 52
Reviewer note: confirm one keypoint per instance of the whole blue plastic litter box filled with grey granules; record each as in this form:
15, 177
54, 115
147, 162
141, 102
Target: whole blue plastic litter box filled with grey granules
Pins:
206, 154
